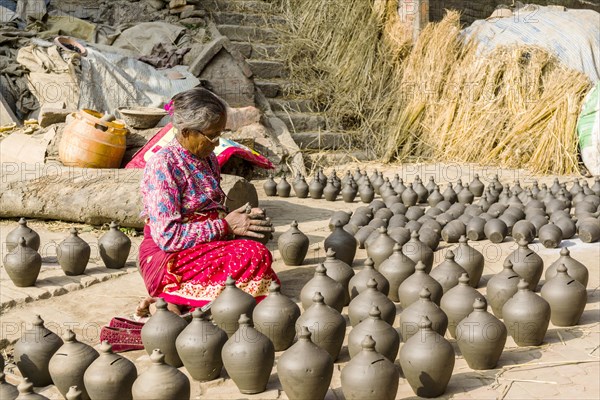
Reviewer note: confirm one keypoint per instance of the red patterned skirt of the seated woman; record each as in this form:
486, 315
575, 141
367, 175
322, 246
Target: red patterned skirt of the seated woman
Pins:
194, 277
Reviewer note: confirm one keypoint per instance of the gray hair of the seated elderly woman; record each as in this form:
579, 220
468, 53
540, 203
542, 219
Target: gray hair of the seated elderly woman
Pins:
197, 109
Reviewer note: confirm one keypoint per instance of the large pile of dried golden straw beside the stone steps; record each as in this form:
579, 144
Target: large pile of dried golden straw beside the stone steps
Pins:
437, 99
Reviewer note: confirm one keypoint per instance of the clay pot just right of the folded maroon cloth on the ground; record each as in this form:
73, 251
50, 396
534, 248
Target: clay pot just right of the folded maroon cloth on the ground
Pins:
161, 331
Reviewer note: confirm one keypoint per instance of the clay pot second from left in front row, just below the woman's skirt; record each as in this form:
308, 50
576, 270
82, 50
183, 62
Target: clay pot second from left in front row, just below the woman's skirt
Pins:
199, 346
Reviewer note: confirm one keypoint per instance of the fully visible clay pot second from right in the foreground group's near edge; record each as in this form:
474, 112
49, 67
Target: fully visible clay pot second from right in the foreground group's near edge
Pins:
526, 316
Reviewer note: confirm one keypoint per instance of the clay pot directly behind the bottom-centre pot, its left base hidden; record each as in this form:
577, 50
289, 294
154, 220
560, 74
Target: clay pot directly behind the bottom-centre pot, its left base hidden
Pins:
326, 324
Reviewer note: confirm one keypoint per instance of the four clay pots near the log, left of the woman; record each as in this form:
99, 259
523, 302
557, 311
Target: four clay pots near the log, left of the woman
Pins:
23, 262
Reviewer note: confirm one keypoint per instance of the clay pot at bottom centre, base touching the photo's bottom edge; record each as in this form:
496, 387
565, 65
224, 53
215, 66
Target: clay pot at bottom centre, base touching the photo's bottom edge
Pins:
307, 363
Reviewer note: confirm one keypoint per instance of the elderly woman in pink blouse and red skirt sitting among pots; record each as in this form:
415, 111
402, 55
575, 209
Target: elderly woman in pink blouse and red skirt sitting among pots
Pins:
189, 248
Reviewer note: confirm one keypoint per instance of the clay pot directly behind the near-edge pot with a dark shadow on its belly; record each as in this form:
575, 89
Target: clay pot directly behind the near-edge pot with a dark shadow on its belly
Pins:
424, 307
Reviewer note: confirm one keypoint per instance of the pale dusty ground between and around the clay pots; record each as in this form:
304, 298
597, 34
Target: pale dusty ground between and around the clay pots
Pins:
566, 366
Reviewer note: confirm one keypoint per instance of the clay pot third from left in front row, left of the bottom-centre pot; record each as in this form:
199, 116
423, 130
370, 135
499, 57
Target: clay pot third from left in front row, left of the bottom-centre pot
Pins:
248, 347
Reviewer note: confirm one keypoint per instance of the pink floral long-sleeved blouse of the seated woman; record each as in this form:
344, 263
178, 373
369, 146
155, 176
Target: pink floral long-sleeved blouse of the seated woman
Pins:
177, 184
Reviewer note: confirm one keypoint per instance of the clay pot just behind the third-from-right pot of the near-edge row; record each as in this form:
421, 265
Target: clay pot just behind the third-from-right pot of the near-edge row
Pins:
457, 303
